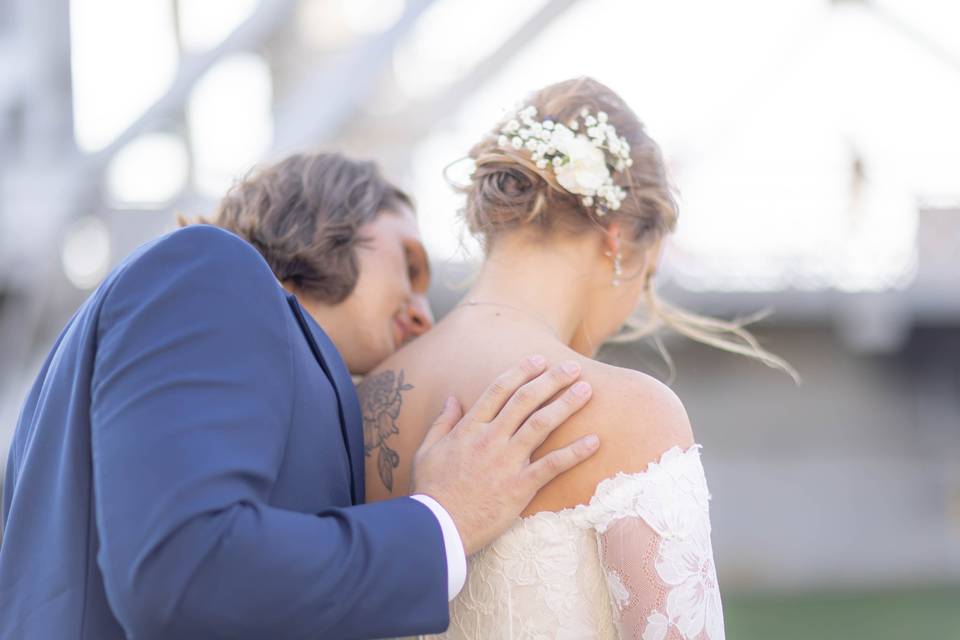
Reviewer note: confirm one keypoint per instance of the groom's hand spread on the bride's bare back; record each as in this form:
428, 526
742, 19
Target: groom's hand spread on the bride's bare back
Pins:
478, 465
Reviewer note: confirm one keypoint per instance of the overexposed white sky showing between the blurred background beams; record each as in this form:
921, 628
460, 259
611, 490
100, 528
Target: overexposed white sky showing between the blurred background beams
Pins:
761, 108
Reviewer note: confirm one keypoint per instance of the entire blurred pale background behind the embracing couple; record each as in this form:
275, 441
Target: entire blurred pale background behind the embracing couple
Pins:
816, 148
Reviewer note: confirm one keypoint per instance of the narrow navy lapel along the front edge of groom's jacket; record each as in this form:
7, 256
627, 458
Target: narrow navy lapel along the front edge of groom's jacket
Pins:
348, 406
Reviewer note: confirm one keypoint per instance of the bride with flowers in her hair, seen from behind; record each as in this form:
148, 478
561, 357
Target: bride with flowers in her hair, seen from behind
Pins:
570, 198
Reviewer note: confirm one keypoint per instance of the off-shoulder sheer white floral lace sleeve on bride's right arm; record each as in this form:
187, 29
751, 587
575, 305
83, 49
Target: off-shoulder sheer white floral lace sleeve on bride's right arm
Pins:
653, 531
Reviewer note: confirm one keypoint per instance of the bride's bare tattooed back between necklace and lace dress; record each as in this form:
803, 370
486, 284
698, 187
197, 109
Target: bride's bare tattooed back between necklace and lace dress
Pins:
636, 417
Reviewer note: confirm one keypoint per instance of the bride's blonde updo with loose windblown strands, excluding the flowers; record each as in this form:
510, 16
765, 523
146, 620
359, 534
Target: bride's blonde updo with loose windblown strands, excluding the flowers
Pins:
507, 190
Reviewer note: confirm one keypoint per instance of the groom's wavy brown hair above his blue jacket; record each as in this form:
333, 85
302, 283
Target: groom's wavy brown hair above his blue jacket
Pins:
303, 215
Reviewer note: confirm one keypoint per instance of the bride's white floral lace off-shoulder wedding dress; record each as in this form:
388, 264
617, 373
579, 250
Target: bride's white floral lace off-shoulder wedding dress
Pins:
635, 563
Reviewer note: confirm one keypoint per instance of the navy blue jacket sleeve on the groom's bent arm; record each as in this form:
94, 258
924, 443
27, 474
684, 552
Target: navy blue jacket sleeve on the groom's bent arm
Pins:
191, 404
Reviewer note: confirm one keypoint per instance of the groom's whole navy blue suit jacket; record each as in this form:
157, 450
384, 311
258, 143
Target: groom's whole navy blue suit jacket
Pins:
189, 464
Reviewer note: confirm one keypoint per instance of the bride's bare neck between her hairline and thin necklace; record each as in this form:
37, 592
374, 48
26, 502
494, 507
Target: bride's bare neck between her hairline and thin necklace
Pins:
547, 282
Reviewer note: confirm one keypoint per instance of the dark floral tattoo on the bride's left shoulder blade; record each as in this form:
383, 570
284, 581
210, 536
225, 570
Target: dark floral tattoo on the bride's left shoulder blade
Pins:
381, 398
